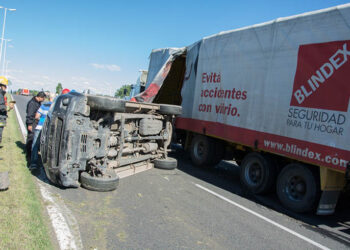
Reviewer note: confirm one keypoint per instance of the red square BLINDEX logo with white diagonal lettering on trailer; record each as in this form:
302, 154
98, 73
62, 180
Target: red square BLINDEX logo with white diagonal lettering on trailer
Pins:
322, 76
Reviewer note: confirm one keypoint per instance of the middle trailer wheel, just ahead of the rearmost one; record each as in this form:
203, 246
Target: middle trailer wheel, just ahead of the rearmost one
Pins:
258, 173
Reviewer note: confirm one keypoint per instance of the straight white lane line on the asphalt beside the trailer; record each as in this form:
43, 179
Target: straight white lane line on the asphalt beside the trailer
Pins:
263, 217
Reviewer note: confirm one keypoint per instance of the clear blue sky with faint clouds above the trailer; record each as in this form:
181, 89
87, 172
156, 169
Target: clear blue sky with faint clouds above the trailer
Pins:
103, 44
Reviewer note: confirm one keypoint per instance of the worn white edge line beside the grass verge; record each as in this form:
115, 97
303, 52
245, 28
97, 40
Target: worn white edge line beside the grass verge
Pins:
64, 235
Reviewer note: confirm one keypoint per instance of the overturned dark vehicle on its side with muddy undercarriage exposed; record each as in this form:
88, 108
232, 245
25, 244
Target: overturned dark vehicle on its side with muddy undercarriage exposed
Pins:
86, 137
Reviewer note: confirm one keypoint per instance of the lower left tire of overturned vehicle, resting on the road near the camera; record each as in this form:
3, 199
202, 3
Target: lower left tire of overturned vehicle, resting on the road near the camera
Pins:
105, 183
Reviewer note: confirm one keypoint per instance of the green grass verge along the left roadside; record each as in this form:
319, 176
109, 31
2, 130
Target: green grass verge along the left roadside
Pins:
23, 224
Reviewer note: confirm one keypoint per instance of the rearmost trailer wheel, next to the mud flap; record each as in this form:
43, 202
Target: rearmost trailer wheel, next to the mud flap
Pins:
297, 188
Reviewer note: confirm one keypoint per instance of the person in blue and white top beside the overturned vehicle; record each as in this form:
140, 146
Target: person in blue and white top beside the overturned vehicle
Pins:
40, 116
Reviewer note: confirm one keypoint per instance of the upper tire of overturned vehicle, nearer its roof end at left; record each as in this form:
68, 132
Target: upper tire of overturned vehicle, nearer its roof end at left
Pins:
106, 103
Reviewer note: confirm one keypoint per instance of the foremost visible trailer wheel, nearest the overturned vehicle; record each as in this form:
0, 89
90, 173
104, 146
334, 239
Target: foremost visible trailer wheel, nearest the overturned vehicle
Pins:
202, 151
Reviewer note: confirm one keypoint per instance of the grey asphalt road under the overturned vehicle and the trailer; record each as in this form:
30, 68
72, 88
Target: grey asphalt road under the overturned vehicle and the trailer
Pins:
193, 208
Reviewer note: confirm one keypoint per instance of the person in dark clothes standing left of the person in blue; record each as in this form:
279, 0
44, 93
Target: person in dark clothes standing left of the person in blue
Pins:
32, 107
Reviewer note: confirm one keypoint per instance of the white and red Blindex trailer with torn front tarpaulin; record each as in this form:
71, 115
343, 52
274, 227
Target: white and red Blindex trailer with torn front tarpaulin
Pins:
274, 95
